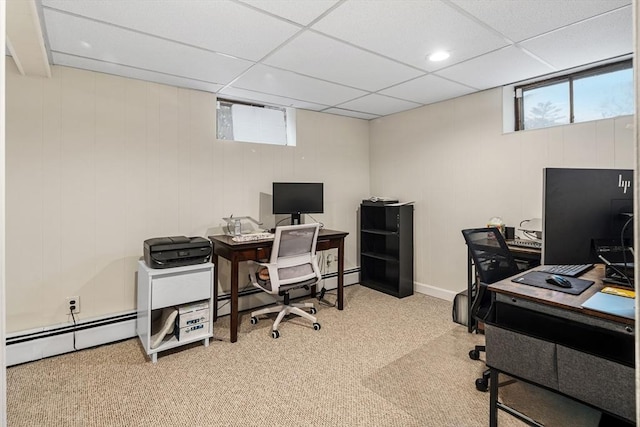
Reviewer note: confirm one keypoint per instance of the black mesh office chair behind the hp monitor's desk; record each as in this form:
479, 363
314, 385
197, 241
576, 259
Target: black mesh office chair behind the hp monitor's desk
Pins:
493, 262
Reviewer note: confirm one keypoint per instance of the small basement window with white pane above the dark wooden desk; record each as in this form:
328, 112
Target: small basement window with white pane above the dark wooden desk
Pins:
262, 124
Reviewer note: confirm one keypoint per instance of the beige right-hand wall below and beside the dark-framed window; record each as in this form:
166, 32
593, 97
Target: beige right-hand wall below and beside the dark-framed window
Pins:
454, 161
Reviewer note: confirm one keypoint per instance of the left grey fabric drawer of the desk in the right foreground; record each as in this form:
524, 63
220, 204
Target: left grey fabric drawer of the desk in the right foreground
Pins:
521, 355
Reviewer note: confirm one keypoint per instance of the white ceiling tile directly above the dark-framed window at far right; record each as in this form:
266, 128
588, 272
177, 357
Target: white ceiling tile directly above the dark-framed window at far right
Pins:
589, 41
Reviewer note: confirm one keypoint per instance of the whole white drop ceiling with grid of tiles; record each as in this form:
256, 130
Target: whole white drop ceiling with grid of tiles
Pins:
357, 58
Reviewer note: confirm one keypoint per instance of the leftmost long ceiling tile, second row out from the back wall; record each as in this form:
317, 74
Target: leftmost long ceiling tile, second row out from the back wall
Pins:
89, 39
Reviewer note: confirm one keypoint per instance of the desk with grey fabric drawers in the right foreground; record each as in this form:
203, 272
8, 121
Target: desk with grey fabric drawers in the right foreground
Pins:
546, 338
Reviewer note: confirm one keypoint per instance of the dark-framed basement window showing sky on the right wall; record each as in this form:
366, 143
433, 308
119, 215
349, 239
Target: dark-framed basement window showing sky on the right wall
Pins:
597, 93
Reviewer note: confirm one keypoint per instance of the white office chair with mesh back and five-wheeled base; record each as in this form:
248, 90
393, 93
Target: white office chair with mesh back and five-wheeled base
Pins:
293, 264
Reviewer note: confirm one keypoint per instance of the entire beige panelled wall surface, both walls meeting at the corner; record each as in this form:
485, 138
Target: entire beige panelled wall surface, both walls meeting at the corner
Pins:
96, 164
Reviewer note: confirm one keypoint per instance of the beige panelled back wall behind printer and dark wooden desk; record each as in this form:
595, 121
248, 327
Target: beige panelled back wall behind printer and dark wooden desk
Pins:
96, 164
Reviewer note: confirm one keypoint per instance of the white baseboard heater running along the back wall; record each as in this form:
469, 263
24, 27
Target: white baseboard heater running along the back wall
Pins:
36, 344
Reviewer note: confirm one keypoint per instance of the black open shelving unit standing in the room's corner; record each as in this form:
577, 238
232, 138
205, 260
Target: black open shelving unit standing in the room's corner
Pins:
386, 248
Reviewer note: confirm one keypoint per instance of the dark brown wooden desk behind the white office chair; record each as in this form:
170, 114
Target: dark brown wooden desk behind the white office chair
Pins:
236, 252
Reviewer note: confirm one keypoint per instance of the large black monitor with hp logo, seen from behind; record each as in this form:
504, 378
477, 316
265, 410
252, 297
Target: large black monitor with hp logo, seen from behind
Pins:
586, 213
